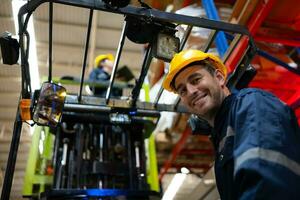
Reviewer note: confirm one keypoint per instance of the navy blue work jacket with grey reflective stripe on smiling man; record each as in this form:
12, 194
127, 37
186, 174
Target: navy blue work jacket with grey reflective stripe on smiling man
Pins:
257, 143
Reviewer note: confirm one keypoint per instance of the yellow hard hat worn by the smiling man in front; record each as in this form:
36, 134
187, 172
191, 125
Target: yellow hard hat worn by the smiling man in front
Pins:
186, 57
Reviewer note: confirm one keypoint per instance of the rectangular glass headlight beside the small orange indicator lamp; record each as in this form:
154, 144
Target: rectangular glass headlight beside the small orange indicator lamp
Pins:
49, 107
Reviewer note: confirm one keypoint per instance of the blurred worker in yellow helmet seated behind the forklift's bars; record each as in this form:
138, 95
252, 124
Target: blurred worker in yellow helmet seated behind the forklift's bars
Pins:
101, 74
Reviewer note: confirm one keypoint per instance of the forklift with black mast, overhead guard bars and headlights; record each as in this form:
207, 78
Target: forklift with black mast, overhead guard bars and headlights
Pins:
99, 150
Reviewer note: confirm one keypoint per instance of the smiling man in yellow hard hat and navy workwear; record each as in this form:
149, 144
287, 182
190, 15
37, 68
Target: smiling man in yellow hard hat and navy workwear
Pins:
256, 136
